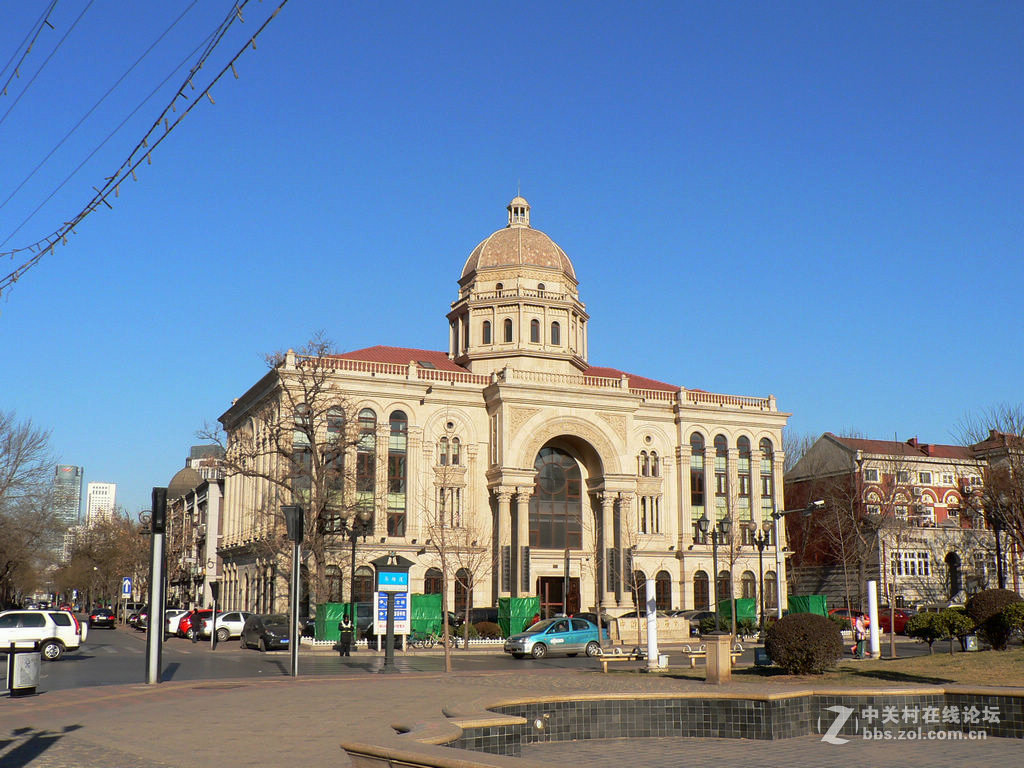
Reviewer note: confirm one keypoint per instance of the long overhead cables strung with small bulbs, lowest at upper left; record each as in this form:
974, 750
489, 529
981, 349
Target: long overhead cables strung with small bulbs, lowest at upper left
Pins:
112, 184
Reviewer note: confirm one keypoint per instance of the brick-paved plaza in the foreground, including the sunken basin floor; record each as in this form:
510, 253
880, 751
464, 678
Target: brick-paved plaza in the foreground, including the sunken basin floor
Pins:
282, 721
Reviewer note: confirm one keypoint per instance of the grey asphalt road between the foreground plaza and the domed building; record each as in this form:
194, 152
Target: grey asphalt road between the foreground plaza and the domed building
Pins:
118, 657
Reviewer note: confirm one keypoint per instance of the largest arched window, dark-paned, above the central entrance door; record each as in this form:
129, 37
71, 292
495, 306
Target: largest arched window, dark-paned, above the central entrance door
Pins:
557, 505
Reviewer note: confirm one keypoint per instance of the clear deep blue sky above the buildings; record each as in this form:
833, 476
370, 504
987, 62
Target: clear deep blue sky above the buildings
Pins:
820, 201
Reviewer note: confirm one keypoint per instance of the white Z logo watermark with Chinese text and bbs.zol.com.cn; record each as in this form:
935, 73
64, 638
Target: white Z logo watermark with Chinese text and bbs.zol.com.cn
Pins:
894, 723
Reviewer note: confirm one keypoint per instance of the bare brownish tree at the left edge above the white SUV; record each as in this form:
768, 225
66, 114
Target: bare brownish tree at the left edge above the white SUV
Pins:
28, 526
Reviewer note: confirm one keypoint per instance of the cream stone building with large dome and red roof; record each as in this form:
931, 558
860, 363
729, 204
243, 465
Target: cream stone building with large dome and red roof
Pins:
543, 475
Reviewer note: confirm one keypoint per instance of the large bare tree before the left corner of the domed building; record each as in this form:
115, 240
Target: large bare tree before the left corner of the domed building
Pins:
298, 440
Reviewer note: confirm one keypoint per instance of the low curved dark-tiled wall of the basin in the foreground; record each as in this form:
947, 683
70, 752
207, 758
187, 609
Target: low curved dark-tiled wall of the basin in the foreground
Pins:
727, 718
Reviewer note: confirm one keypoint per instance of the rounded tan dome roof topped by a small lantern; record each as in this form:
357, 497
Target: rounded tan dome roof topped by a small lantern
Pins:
519, 245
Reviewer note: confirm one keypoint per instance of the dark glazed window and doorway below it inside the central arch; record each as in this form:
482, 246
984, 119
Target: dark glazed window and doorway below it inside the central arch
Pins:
557, 524
